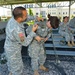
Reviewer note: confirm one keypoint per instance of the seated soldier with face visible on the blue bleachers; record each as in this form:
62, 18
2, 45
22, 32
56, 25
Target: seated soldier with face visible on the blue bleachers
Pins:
65, 31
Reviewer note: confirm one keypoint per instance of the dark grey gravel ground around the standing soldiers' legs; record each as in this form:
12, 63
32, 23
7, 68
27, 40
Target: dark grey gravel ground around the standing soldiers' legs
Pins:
65, 67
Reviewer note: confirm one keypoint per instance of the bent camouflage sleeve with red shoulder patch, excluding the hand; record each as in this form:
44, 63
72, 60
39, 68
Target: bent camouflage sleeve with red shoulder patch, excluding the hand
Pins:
22, 39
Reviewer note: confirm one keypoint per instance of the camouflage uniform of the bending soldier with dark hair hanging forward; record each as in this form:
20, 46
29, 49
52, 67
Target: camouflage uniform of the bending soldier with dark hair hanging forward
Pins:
37, 49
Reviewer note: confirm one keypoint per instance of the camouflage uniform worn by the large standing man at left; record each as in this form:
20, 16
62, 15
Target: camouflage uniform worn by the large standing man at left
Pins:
13, 46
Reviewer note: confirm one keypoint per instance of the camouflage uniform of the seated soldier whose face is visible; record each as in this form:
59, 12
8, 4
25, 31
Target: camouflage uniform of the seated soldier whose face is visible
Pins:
65, 31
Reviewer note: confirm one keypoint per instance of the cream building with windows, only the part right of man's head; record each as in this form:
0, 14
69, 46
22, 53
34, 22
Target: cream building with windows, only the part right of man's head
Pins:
53, 11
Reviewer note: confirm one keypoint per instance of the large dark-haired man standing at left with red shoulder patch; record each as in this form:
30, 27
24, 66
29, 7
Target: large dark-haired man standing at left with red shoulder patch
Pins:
15, 38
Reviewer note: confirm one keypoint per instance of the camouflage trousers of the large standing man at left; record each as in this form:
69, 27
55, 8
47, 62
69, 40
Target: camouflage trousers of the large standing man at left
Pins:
15, 64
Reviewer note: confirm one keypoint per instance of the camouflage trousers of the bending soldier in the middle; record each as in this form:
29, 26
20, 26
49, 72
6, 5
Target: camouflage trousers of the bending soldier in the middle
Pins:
37, 54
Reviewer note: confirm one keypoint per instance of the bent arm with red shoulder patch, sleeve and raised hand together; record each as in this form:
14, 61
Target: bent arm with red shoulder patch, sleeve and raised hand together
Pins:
22, 39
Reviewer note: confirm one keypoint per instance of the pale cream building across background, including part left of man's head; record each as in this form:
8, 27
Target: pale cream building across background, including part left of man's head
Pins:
52, 10
